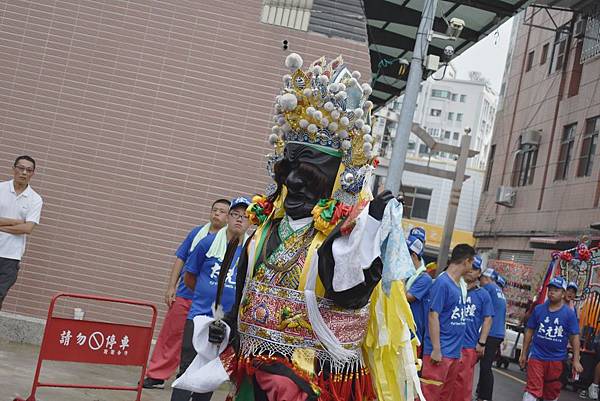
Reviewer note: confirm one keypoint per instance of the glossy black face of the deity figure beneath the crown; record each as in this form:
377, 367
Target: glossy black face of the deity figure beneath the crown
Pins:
308, 174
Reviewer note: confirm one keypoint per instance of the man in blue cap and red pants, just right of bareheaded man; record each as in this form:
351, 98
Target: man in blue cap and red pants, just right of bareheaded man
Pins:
478, 317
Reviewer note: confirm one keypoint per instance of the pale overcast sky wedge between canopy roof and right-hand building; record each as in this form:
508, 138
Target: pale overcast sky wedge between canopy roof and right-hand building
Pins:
486, 56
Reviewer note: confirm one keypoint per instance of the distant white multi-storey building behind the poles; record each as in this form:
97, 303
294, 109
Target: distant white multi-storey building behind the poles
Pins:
478, 111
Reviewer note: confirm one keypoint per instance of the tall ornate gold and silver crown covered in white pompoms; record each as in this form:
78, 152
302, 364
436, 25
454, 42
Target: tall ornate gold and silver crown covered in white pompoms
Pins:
327, 108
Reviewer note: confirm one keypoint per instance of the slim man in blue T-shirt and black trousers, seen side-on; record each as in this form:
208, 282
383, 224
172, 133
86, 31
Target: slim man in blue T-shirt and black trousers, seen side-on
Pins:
485, 386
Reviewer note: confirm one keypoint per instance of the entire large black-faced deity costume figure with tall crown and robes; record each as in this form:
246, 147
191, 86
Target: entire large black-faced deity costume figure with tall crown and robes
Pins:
313, 319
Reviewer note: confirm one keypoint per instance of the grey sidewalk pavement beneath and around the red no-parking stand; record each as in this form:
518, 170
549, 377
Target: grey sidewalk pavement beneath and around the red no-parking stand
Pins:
17, 367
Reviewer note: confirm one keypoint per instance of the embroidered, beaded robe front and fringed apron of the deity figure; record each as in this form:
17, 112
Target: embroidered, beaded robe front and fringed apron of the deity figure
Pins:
273, 323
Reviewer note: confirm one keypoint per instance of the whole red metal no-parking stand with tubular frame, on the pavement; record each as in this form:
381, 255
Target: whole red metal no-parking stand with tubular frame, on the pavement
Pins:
70, 340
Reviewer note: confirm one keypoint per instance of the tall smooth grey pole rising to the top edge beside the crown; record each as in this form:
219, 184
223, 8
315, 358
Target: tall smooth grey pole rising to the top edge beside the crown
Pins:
409, 104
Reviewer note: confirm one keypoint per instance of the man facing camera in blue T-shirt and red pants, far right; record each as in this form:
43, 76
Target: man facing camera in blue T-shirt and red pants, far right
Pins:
550, 328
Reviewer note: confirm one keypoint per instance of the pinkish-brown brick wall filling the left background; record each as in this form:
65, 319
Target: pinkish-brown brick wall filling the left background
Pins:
139, 114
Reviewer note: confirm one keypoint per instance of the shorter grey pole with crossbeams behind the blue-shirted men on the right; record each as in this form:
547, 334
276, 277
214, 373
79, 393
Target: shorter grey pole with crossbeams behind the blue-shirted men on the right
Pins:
457, 183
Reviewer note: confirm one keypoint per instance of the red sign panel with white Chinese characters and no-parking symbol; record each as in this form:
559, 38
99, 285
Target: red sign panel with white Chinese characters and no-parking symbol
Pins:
96, 342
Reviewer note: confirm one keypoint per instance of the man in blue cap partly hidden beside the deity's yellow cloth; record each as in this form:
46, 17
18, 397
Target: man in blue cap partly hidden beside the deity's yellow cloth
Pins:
418, 286
